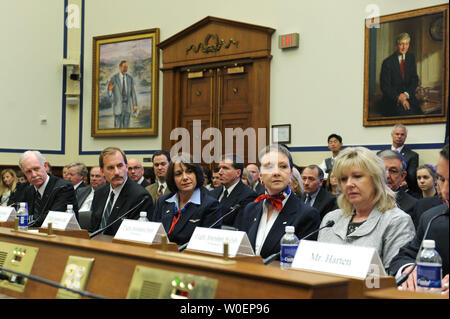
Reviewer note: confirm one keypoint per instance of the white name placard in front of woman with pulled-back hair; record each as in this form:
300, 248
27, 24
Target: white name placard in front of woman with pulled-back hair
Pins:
211, 240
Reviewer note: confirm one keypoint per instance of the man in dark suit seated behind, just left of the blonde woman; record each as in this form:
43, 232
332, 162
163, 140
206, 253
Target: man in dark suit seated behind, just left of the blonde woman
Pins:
314, 194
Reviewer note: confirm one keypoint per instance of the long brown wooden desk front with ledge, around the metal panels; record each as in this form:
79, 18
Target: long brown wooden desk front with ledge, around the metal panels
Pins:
115, 263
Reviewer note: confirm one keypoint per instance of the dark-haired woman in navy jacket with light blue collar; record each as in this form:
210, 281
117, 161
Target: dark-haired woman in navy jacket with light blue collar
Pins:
188, 205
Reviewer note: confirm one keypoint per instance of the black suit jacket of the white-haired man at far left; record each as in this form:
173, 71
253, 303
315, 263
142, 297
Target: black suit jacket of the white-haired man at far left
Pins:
57, 195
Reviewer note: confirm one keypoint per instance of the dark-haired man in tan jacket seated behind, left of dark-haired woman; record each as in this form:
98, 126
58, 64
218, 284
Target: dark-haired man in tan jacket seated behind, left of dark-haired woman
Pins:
161, 160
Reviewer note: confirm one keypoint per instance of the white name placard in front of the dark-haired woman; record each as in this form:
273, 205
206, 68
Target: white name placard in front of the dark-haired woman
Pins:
145, 232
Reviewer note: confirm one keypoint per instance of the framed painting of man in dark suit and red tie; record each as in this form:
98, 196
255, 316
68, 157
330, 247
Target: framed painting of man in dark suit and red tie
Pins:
406, 67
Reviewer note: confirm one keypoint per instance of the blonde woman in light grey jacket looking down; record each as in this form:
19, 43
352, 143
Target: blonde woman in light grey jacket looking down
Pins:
367, 214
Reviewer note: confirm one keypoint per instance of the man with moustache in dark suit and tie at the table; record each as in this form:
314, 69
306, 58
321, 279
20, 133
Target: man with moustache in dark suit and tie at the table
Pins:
119, 196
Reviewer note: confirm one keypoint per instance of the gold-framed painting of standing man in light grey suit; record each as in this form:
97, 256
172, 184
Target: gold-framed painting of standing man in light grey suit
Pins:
125, 84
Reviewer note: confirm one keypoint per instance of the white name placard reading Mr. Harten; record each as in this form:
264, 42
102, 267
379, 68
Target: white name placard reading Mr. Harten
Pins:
346, 260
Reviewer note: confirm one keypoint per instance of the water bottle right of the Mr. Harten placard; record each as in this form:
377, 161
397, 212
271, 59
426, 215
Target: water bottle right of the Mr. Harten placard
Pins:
429, 268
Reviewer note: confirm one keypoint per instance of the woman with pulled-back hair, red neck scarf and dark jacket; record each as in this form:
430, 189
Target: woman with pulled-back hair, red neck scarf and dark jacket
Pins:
265, 219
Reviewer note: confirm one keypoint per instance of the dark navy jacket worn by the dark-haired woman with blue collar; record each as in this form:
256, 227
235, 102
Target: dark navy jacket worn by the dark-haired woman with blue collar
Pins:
203, 215
